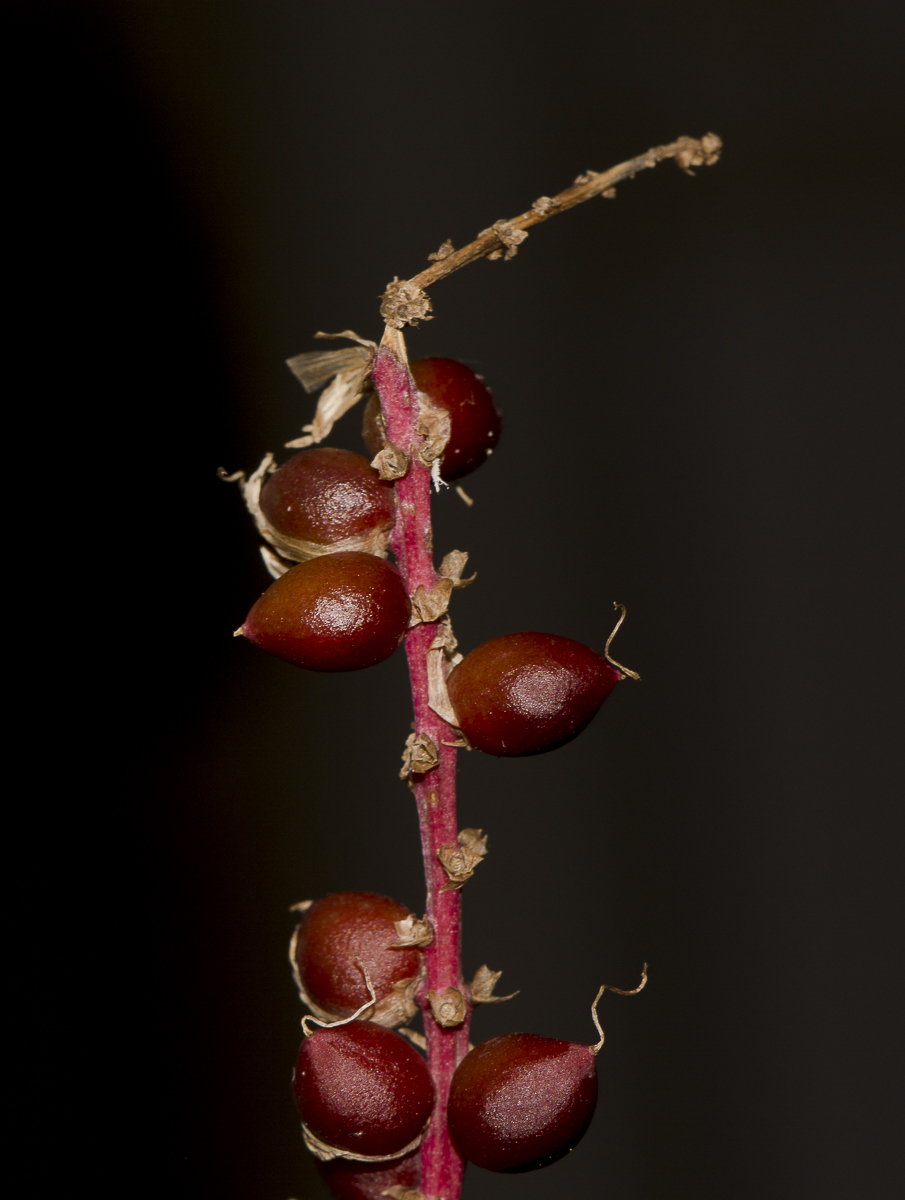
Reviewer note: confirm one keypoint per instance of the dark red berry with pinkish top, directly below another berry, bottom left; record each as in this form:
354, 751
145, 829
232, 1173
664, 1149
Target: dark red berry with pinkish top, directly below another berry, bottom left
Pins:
363, 1089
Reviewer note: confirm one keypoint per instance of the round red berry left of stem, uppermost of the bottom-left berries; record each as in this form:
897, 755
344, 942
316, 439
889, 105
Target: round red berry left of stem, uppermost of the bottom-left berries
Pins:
337, 929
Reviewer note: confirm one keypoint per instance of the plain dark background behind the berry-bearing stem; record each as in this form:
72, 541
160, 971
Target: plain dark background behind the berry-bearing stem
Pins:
702, 394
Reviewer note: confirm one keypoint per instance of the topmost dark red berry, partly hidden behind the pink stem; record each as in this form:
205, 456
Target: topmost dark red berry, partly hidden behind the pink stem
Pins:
474, 417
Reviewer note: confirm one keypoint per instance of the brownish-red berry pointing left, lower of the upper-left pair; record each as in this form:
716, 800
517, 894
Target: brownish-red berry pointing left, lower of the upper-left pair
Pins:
339, 613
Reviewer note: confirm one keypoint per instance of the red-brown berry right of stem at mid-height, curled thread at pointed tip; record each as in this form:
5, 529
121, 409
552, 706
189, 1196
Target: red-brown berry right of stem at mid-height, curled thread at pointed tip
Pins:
525, 694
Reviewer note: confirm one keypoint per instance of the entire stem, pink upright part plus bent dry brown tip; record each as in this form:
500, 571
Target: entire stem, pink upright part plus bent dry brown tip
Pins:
412, 543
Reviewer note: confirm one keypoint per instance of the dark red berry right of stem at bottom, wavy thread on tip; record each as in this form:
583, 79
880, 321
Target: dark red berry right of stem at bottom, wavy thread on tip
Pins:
520, 1102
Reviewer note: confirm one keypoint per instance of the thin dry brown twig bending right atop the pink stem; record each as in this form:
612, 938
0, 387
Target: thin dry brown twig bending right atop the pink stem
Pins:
406, 302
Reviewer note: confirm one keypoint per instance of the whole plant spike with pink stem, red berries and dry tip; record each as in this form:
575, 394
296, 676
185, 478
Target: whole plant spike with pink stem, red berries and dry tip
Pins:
383, 1120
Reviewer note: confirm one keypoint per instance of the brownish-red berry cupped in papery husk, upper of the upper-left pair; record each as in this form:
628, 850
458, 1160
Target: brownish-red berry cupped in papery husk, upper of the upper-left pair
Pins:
327, 495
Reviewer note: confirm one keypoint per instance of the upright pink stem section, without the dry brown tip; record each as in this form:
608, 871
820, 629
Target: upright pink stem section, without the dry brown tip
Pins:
435, 791
